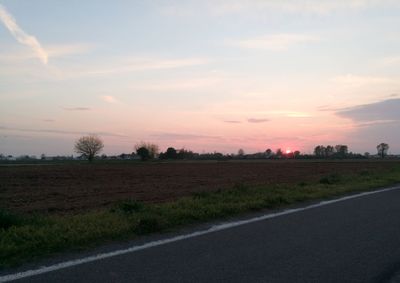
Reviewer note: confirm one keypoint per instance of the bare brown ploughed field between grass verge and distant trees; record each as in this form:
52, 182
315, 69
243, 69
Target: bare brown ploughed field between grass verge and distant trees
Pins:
76, 187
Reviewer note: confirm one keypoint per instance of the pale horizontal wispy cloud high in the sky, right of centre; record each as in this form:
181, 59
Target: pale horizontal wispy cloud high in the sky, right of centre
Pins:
274, 42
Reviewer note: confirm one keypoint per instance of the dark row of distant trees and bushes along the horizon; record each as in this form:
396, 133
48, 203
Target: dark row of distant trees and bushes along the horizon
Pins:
90, 146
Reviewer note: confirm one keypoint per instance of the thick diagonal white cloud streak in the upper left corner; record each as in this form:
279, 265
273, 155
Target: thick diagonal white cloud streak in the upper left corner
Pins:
21, 36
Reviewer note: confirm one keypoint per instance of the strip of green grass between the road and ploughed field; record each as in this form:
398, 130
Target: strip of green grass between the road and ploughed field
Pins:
26, 238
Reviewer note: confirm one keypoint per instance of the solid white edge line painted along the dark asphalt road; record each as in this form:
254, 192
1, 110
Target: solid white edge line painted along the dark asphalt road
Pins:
220, 227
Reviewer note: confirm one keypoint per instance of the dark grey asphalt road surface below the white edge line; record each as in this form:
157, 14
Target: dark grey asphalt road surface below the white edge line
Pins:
356, 240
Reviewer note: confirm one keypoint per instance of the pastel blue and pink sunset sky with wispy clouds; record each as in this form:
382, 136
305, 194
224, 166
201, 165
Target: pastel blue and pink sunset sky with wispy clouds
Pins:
202, 75
